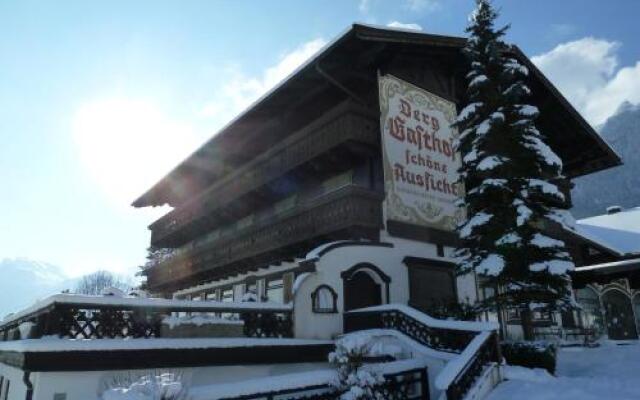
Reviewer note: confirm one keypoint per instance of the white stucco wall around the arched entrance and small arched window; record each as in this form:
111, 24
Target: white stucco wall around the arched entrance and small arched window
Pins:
329, 267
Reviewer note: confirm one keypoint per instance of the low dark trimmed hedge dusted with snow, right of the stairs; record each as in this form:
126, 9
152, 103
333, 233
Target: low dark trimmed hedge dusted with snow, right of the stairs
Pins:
530, 354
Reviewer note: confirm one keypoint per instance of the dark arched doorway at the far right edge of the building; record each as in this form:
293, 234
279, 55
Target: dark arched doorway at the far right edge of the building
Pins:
621, 324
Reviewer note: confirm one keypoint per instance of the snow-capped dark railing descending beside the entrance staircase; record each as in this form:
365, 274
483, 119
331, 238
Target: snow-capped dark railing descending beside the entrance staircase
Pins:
476, 343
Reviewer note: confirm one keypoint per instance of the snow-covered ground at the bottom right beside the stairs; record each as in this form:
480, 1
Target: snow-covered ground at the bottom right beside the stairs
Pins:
607, 372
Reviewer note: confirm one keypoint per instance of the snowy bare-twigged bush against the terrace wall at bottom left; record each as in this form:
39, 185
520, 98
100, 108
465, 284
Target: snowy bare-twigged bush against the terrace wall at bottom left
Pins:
164, 386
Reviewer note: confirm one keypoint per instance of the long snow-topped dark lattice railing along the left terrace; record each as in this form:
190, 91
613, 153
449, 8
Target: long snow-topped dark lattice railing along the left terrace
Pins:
94, 317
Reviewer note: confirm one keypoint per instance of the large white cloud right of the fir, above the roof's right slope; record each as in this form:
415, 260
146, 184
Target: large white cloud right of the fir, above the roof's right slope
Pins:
587, 72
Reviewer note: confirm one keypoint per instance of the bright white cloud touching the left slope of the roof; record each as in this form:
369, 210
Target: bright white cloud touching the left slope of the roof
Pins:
241, 90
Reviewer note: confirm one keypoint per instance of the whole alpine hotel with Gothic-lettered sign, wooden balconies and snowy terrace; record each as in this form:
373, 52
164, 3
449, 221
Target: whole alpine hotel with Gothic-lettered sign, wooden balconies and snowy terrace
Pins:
333, 193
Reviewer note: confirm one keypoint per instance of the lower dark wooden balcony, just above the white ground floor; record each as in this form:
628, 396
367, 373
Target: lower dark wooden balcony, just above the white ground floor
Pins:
349, 212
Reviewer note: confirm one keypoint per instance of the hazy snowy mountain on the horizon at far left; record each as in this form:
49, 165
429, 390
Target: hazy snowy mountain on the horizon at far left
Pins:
24, 281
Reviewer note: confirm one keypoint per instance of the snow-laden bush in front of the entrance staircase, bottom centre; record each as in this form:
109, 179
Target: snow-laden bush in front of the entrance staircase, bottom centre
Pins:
355, 382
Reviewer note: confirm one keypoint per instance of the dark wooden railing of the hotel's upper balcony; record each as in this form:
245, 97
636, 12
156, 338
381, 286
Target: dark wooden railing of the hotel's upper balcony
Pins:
301, 147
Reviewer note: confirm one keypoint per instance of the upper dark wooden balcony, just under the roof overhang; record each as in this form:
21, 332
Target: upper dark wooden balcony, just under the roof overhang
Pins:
334, 139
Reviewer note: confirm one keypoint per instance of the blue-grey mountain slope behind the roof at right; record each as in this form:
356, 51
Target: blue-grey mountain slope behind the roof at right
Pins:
616, 186
